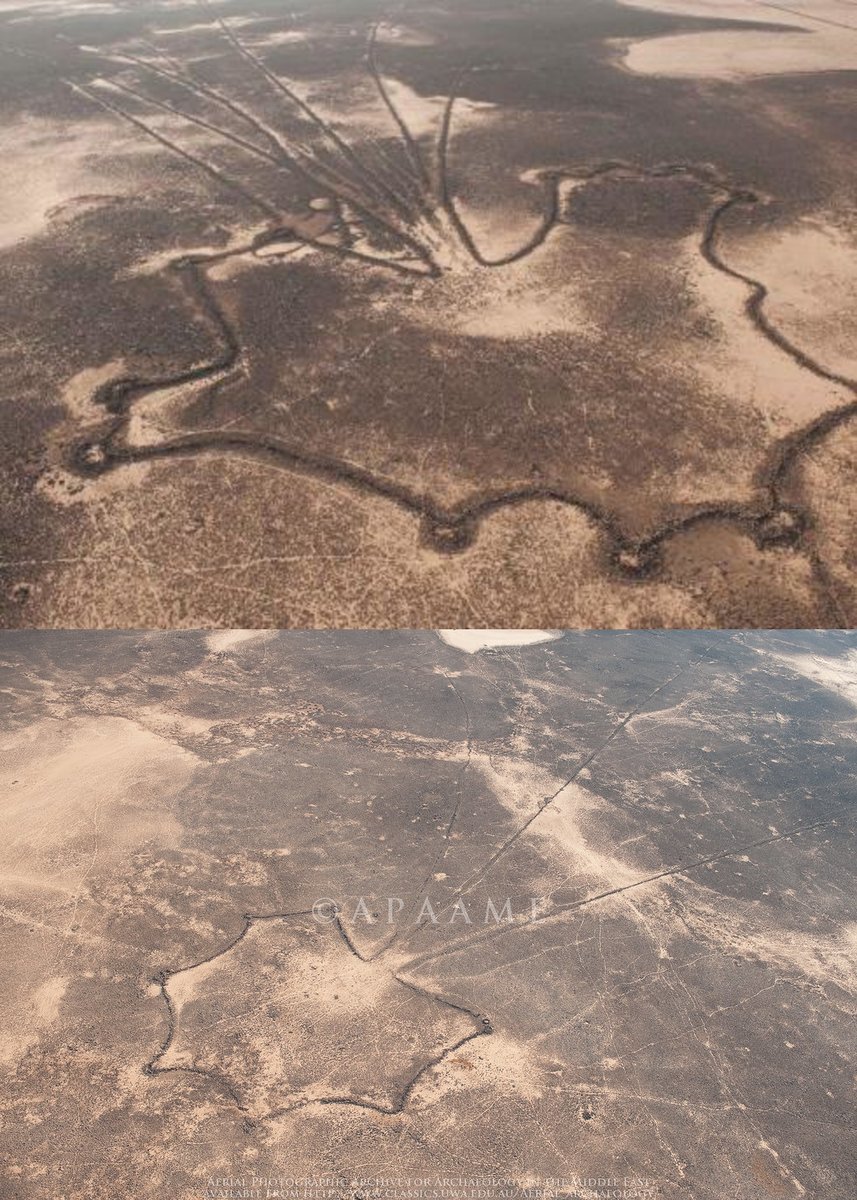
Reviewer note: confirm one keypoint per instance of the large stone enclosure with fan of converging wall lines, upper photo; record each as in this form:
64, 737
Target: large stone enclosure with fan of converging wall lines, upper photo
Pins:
375, 327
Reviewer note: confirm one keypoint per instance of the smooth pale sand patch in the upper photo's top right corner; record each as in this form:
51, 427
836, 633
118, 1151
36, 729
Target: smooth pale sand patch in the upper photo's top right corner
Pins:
824, 39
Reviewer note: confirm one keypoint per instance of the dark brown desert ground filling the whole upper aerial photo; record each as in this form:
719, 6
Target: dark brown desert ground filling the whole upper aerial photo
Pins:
465, 315
